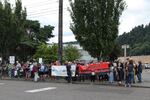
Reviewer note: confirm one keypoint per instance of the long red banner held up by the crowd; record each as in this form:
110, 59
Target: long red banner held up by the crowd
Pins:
94, 67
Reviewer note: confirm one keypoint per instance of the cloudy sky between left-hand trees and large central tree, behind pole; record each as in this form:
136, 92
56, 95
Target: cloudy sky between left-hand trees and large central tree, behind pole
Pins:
52, 17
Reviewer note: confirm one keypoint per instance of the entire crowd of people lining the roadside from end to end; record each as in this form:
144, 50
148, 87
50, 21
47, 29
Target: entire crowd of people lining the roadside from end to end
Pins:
119, 72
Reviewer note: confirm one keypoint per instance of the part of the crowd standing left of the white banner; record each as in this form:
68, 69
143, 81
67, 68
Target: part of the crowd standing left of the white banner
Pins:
27, 70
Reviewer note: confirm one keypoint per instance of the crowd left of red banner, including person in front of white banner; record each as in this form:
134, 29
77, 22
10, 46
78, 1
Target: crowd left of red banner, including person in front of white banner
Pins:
32, 70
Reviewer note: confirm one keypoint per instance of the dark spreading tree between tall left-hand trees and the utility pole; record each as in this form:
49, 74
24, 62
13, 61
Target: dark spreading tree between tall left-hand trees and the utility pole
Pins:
34, 36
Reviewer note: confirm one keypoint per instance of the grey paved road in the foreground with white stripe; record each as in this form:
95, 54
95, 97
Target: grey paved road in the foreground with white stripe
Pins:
22, 90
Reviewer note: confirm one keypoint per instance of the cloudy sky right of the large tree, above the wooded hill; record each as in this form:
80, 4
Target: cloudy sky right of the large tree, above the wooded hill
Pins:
136, 14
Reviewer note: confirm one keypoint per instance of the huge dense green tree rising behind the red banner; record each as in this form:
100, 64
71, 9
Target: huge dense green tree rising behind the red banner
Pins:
95, 24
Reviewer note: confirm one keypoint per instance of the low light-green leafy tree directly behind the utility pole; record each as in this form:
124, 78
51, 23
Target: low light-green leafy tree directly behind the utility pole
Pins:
50, 52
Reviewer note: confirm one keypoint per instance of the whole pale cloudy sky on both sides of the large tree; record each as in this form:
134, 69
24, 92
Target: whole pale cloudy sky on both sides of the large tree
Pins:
46, 12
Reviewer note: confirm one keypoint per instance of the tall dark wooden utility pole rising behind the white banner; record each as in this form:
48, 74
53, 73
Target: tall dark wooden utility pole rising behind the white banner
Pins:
60, 31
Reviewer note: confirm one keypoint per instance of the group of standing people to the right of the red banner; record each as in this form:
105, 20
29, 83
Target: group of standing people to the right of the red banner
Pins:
129, 72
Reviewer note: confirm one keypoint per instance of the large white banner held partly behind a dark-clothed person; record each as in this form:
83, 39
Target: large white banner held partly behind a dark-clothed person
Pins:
62, 71
